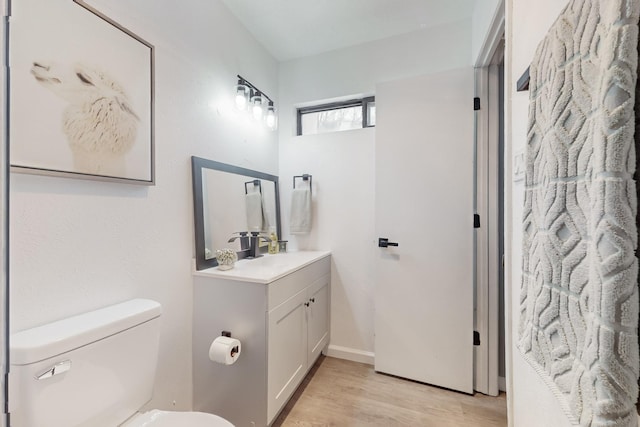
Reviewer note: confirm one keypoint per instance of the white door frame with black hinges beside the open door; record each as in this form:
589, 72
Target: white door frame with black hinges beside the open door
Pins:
486, 204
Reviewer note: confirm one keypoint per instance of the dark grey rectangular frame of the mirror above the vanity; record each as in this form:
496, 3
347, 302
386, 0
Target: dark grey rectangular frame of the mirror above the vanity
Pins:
197, 165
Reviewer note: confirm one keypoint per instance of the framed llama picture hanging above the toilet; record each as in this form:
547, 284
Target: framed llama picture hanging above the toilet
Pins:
81, 94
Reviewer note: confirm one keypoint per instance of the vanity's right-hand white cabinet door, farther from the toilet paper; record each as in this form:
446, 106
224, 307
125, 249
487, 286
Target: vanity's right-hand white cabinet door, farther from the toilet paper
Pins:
318, 318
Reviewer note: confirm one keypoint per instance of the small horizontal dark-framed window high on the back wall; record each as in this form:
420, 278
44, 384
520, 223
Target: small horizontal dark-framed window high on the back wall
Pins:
347, 115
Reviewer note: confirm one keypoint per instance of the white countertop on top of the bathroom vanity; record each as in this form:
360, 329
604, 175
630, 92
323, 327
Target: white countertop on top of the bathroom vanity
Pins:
265, 269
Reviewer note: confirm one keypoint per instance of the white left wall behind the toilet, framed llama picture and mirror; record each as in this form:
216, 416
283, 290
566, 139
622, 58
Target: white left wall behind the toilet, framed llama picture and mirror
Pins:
77, 245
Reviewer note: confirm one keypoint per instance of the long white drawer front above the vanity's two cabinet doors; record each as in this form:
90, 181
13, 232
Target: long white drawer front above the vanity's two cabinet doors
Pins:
287, 286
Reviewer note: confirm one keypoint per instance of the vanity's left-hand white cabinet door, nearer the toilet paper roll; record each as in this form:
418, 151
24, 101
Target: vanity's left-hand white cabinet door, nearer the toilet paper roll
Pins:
287, 351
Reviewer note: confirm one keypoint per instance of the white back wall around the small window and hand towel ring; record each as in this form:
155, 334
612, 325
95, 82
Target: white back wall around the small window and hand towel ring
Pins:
342, 163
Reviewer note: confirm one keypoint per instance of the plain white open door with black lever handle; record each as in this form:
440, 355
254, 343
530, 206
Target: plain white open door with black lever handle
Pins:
424, 203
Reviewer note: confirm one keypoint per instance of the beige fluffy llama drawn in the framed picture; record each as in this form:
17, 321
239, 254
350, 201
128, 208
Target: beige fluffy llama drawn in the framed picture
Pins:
98, 120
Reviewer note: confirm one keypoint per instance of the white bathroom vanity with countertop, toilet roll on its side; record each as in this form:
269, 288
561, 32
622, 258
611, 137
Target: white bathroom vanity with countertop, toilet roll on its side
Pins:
278, 307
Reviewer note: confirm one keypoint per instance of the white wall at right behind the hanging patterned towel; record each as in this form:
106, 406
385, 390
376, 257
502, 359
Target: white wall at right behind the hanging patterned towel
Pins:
532, 402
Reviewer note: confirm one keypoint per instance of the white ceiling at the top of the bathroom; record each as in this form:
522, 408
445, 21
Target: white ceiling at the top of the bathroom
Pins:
291, 29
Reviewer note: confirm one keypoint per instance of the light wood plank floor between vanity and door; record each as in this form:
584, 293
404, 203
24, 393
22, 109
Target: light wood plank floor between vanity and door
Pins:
343, 394
